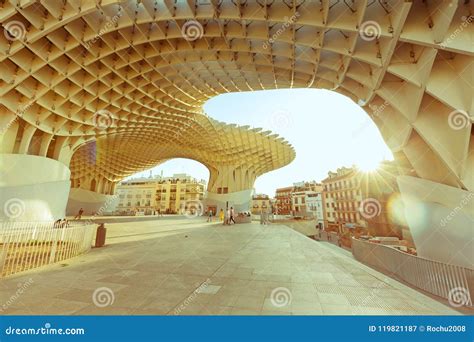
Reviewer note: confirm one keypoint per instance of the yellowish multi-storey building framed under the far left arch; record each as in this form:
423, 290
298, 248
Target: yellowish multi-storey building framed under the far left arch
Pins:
169, 195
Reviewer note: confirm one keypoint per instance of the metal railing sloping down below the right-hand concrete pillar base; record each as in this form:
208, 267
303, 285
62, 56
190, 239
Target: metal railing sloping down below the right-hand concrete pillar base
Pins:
435, 277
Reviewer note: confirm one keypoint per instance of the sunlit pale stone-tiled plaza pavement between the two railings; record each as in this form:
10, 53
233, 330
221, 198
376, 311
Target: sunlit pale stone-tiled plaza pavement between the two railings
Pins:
177, 265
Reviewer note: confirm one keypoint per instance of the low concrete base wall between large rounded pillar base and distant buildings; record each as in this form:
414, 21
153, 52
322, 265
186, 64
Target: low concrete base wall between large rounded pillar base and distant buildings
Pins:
91, 202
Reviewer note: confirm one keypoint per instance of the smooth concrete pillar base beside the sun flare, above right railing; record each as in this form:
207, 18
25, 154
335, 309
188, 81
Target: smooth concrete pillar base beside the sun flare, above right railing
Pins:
441, 220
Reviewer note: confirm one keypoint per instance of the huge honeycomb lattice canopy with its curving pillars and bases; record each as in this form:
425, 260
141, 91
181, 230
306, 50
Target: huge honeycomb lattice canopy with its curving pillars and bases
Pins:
94, 91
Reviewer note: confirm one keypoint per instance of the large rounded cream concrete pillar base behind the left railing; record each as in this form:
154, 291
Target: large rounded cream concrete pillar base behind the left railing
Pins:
32, 188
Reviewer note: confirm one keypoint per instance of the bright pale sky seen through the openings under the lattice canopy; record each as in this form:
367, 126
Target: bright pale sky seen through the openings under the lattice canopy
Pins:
327, 130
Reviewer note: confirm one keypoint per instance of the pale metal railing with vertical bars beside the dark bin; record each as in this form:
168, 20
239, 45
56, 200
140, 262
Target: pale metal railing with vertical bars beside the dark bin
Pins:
28, 245
